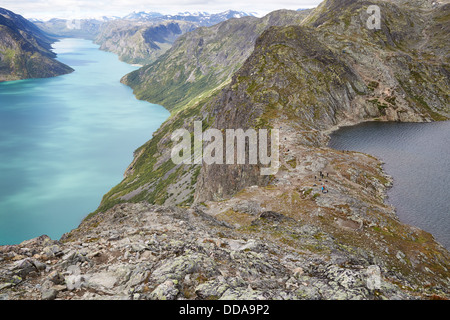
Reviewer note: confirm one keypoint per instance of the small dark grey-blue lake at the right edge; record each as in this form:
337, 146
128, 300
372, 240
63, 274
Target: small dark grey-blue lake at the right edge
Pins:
417, 156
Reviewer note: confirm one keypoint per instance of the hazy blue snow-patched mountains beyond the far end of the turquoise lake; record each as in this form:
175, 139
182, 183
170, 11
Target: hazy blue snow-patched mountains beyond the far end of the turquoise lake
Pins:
139, 37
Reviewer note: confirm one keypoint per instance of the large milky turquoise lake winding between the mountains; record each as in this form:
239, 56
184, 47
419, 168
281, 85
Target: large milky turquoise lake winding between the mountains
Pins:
66, 141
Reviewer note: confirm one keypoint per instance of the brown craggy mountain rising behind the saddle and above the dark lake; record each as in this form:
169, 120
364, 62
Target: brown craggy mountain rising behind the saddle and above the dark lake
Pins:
331, 70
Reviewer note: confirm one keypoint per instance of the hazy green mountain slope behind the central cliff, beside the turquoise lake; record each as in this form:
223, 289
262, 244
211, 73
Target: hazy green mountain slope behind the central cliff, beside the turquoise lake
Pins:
202, 60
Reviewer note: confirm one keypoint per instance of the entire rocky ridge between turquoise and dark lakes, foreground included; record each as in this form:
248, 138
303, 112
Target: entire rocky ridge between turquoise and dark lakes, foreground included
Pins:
187, 231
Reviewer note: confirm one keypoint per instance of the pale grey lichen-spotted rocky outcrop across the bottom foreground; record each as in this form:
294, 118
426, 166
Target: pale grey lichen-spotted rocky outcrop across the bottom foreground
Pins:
141, 251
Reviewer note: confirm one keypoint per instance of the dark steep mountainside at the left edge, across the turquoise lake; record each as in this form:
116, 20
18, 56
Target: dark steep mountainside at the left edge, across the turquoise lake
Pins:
25, 51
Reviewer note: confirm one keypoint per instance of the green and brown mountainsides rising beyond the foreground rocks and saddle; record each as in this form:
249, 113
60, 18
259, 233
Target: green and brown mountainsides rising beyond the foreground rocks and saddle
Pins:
331, 71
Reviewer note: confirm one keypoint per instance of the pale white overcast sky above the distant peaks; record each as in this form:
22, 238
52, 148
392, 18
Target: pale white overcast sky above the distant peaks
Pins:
45, 9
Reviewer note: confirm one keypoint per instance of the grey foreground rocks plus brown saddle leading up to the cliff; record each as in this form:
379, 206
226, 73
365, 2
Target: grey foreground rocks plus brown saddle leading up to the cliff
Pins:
286, 240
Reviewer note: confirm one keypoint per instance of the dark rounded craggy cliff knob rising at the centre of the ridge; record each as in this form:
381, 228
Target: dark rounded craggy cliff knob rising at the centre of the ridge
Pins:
290, 77
